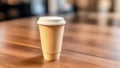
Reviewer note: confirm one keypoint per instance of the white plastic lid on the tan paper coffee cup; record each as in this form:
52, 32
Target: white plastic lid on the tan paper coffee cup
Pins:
51, 20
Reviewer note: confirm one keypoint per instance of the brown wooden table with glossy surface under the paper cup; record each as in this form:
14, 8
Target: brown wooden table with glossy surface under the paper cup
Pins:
84, 46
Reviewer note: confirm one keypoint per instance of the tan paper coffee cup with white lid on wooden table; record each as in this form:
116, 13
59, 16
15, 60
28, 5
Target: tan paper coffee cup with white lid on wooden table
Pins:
51, 34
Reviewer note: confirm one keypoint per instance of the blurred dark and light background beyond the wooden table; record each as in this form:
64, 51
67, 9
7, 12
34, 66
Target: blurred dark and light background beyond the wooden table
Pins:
88, 11
